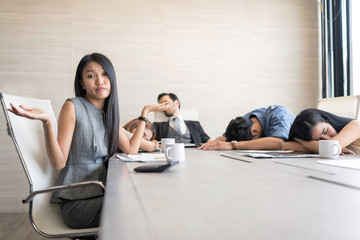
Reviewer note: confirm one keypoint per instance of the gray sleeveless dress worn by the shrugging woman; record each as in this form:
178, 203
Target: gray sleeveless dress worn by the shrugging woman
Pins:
86, 161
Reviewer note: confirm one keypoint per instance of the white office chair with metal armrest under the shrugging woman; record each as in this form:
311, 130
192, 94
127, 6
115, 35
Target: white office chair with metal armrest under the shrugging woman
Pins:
29, 142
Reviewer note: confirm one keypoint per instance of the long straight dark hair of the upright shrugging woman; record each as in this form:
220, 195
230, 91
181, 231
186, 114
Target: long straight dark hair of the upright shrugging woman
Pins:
111, 107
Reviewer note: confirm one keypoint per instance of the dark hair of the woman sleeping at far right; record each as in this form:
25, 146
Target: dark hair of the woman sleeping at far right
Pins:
308, 118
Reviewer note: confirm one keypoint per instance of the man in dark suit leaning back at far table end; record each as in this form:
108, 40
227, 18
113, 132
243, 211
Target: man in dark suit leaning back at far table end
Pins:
176, 127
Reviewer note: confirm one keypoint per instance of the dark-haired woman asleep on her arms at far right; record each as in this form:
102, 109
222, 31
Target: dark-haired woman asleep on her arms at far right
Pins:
312, 125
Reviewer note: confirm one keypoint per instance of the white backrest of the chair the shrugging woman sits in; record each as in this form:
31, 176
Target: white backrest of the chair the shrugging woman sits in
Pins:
28, 137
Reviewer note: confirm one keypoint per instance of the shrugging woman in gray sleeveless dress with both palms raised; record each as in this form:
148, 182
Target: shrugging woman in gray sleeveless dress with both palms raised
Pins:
89, 133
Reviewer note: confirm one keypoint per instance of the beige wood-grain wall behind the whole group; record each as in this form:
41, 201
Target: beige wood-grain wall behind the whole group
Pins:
223, 57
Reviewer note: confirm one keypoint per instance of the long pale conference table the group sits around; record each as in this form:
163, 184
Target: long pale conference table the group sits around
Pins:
226, 195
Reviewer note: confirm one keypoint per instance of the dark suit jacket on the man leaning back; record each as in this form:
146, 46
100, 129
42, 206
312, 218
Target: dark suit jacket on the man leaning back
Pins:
196, 131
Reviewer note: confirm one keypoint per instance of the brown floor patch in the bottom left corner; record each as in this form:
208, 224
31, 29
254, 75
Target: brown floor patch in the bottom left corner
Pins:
16, 226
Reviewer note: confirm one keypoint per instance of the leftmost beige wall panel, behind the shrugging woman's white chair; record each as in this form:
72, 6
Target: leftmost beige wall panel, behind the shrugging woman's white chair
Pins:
35, 61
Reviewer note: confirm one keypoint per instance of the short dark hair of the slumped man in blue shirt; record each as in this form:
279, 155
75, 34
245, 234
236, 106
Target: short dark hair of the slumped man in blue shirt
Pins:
239, 129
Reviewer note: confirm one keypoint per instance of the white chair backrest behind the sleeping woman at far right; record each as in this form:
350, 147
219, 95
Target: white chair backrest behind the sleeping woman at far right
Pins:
343, 106
